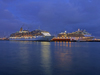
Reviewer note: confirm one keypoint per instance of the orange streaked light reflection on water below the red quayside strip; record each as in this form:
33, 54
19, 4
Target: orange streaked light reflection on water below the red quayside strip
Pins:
63, 56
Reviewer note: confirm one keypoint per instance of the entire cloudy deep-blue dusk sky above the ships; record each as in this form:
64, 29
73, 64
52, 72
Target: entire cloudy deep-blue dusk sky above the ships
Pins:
54, 16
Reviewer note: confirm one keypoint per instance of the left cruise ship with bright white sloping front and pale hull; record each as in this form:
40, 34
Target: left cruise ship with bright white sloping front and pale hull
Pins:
35, 35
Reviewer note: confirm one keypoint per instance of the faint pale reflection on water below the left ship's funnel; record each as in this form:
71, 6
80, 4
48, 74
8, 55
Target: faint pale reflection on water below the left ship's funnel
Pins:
24, 56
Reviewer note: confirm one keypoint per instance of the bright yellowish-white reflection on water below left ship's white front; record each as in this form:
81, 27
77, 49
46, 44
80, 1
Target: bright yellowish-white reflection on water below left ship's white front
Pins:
46, 58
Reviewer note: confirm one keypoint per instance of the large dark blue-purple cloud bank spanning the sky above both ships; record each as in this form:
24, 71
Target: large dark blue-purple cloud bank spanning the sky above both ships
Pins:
53, 14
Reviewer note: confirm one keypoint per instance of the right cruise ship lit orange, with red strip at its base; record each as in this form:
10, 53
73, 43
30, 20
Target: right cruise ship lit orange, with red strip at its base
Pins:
80, 35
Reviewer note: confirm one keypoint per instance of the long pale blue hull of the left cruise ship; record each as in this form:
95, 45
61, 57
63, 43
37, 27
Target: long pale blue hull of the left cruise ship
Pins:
35, 38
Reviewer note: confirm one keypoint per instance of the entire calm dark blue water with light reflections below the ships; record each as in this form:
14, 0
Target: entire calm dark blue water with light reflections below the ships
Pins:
49, 58
